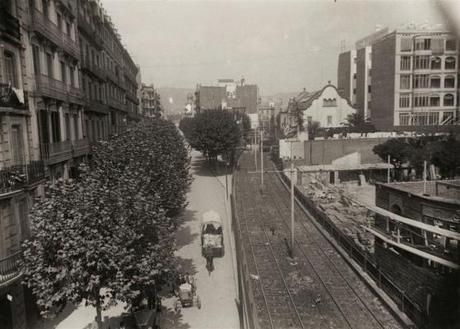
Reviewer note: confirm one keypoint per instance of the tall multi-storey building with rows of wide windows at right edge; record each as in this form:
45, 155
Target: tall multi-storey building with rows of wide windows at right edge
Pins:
415, 80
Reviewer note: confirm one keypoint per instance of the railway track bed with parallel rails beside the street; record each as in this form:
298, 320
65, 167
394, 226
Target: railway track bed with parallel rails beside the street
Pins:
318, 290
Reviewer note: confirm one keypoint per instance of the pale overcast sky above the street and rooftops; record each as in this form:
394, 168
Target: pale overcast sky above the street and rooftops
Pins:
281, 46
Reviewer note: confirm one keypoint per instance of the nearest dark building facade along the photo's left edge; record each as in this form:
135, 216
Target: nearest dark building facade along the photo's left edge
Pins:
21, 170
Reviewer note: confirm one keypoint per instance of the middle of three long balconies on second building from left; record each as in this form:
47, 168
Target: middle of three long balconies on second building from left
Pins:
57, 89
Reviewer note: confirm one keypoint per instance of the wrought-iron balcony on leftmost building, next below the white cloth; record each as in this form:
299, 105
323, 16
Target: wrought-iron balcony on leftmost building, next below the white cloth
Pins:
15, 178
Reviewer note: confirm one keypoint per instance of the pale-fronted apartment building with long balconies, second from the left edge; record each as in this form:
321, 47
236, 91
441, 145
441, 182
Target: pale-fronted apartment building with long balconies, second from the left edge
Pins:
56, 101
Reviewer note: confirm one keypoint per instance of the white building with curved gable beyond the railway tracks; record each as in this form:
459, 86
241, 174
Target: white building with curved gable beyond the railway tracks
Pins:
325, 106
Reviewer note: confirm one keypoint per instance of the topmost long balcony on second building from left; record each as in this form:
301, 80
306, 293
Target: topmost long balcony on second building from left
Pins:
49, 30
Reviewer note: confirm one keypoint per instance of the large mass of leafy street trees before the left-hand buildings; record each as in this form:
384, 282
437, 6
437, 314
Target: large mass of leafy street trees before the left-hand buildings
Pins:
108, 236
